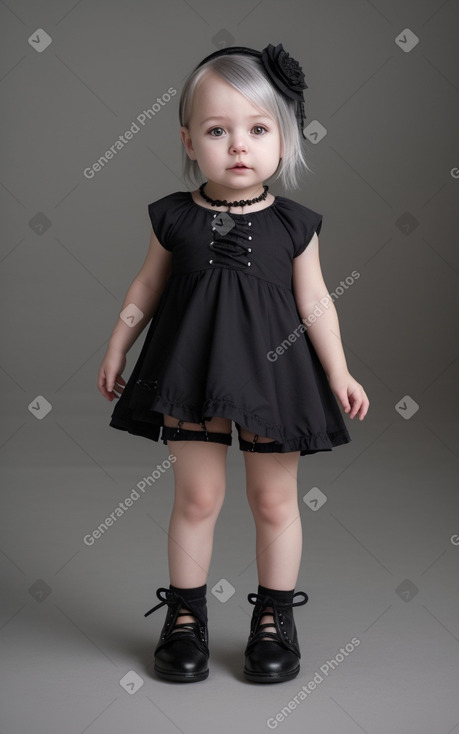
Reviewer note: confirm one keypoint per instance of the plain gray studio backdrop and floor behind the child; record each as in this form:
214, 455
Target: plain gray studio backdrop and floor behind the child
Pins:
381, 525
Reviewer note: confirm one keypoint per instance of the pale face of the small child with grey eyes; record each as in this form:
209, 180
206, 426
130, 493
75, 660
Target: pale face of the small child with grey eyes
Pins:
237, 132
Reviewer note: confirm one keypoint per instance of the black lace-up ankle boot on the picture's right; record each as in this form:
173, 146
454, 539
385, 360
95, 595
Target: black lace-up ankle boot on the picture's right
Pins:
275, 659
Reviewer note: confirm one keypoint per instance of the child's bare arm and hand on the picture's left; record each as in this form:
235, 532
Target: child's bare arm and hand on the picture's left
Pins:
144, 292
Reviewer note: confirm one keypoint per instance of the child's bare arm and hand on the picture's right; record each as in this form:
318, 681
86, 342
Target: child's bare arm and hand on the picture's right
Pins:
323, 330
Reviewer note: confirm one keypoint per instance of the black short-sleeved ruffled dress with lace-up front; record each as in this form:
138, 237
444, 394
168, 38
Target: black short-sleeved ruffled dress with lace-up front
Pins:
226, 338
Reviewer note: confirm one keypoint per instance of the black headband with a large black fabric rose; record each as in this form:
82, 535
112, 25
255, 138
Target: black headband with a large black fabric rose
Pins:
281, 70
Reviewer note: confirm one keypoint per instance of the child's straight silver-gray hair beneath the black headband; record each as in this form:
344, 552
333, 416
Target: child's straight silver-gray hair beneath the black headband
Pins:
245, 74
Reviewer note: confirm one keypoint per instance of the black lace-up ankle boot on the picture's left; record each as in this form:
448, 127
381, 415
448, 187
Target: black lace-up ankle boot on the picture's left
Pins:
182, 656
